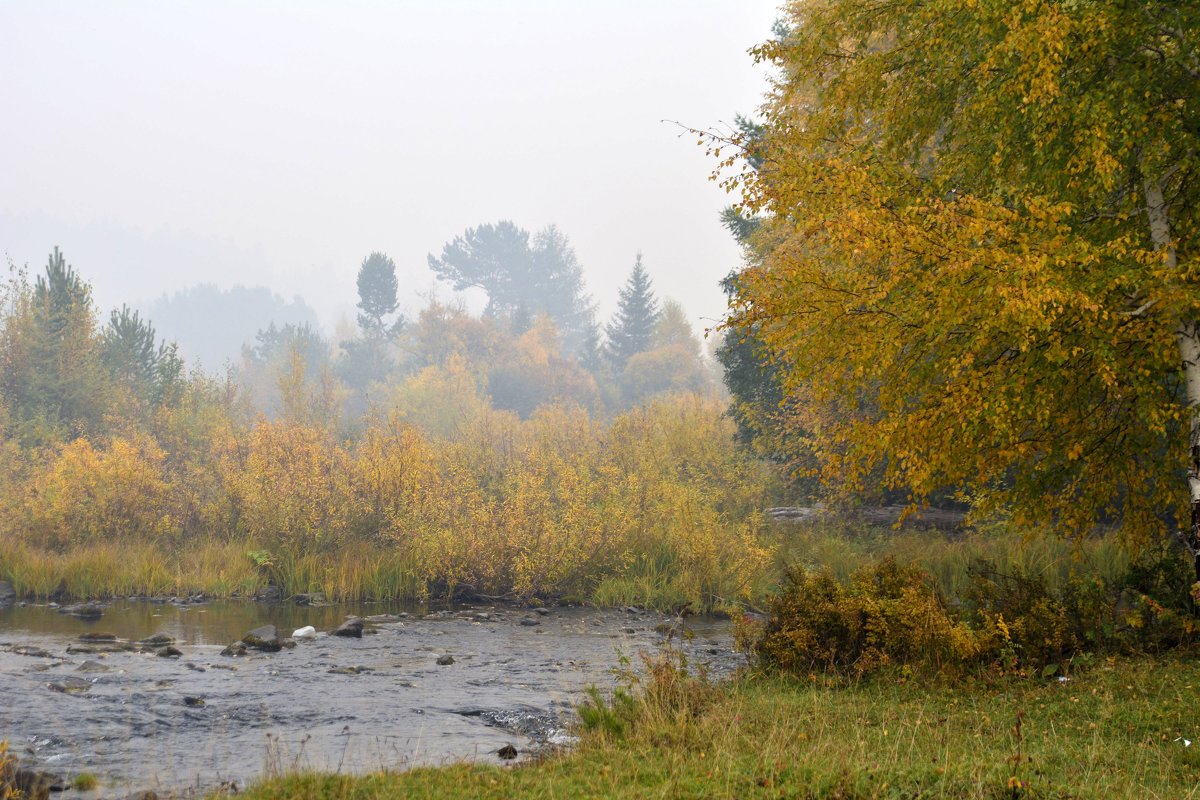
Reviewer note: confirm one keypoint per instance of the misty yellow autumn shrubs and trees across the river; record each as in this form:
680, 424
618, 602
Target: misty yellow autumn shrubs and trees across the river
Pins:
416, 458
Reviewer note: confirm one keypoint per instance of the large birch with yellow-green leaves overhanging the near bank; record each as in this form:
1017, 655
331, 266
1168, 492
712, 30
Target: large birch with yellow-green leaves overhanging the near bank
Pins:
979, 266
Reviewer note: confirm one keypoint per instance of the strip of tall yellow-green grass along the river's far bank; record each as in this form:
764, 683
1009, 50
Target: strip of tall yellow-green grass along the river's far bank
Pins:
361, 573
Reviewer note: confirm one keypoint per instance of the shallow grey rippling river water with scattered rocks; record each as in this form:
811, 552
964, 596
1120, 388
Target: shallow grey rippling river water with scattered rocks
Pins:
191, 723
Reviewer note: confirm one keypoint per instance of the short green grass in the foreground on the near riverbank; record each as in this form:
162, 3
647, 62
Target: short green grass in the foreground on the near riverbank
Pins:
1109, 732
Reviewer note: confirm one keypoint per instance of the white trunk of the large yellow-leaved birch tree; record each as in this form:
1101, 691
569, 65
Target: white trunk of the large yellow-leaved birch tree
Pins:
1187, 335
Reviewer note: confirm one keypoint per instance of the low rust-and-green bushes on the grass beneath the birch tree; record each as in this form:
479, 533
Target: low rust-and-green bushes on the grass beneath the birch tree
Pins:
1016, 619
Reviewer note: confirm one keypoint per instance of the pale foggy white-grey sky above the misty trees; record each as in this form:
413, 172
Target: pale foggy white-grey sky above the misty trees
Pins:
166, 145
